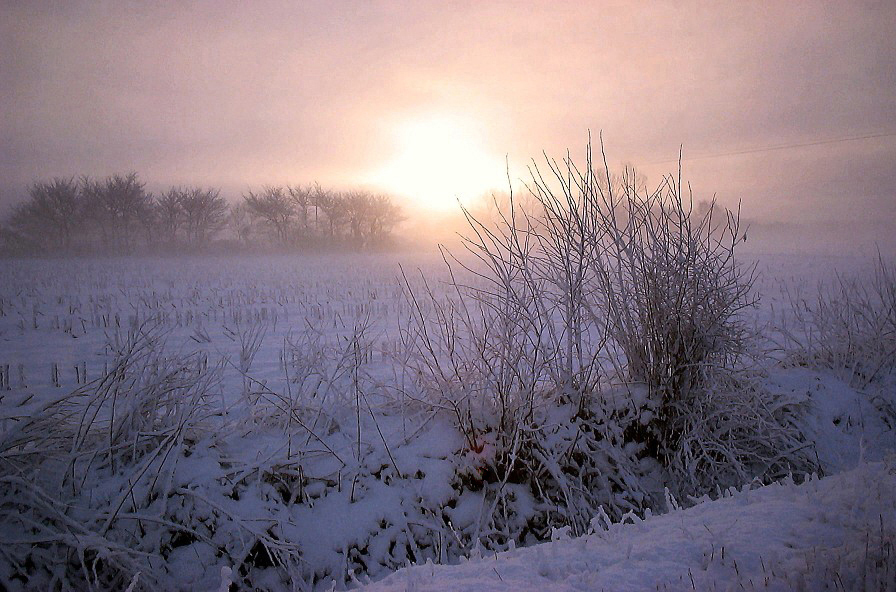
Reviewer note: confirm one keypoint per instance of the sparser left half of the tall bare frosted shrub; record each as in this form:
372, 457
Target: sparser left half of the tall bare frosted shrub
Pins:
513, 353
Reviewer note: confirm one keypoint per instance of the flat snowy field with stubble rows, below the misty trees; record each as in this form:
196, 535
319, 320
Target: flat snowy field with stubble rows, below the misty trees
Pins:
58, 317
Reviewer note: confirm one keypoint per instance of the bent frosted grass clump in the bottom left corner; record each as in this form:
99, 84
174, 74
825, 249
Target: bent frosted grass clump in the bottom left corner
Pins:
88, 476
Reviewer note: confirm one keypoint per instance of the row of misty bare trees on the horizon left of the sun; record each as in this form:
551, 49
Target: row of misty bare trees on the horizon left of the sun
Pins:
116, 215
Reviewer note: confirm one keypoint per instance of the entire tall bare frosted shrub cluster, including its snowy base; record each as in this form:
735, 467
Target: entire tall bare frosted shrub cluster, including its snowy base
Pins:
585, 280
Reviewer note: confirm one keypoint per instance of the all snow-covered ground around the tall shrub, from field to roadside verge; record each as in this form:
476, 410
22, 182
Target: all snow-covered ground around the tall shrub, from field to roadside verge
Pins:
255, 419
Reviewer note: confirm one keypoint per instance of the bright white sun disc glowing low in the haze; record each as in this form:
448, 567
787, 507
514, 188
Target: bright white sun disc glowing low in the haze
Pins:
438, 159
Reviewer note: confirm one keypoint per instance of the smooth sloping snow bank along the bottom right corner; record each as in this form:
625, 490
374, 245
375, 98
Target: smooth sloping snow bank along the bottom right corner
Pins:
838, 532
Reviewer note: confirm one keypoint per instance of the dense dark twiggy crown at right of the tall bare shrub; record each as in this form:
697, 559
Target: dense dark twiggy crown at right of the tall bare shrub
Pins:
672, 288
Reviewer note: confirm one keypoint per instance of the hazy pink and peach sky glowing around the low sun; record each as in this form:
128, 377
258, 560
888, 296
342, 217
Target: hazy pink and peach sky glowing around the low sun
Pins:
428, 97
